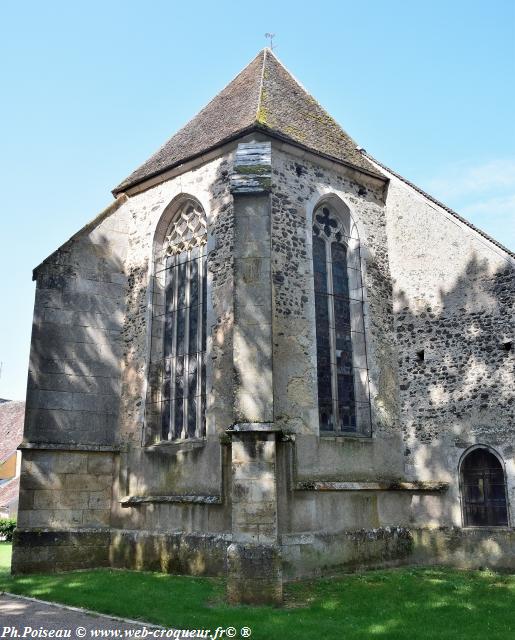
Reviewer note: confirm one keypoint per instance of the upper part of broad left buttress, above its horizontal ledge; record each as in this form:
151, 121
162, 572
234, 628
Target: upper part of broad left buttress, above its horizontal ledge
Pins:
74, 373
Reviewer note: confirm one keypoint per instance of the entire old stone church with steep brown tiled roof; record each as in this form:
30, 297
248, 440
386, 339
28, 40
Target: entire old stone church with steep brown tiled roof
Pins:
270, 358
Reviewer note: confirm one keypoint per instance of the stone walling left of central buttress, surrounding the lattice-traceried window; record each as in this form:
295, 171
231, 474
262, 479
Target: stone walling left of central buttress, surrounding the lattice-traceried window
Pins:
88, 374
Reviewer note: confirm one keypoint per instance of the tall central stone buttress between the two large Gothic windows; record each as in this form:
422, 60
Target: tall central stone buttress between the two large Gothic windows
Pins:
254, 562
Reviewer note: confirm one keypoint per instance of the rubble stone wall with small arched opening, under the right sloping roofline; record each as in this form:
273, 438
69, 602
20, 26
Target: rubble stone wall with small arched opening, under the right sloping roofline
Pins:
454, 295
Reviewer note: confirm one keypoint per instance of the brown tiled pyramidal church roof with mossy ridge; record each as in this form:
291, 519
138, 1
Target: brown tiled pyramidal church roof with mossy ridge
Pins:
264, 96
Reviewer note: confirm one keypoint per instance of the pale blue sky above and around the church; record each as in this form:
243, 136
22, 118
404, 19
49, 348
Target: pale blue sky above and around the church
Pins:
91, 89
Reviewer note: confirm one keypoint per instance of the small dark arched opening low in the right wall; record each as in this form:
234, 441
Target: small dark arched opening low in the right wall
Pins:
483, 490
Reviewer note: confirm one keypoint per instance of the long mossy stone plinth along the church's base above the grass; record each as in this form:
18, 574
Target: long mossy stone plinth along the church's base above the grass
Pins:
255, 572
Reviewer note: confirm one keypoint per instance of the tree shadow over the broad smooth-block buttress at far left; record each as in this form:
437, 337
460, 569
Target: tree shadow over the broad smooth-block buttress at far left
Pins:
73, 387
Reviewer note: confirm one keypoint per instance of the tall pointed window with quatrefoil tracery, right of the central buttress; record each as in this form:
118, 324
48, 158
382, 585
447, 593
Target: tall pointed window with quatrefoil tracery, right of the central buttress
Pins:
343, 393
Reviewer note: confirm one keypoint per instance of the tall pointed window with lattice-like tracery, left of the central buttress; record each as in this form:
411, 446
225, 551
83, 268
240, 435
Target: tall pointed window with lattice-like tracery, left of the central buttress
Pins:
177, 368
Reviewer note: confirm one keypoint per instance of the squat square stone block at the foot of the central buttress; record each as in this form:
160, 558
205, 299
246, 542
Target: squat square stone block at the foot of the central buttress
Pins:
254, 574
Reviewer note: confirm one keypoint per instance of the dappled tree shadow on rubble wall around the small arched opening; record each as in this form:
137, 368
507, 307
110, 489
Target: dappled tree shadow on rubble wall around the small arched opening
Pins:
456, 372
